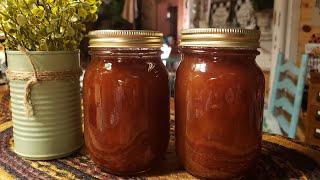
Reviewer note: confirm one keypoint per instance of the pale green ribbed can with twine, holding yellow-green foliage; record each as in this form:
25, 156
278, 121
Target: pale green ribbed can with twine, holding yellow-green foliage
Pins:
42, 38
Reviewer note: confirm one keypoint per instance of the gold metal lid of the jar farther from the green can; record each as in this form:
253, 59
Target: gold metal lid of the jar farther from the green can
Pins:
220, 37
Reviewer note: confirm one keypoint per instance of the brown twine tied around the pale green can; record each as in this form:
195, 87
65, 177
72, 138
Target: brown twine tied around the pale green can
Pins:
35, 77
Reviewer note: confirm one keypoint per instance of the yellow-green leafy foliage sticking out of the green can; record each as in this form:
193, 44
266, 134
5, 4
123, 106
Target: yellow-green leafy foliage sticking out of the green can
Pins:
46, 25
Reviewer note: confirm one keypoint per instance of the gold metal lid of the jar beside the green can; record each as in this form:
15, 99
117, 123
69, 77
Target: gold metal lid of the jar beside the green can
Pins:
125, 39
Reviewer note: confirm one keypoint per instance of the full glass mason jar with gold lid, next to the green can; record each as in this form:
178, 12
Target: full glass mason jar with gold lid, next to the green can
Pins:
126, 101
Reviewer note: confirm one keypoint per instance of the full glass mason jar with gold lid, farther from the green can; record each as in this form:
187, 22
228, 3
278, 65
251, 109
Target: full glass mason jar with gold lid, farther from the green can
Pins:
219, 102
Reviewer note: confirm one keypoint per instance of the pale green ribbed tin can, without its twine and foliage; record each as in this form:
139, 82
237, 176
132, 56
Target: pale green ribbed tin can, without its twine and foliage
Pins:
55, 128
